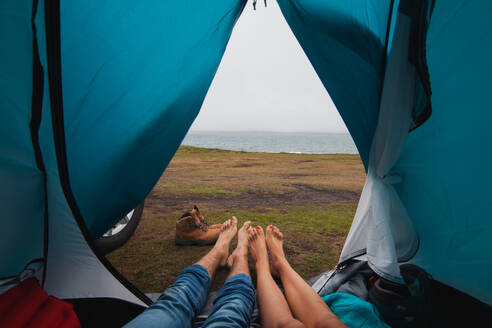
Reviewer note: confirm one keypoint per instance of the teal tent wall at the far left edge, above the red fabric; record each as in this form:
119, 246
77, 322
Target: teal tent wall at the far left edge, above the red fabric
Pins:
21, 182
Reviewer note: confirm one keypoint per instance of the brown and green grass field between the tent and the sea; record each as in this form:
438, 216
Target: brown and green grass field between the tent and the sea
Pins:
312, 198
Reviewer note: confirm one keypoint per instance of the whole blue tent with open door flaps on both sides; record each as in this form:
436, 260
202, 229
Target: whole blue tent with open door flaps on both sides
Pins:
96, 97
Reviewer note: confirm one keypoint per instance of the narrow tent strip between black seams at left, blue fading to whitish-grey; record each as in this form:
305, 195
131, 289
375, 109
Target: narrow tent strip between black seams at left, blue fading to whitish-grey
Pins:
72, 269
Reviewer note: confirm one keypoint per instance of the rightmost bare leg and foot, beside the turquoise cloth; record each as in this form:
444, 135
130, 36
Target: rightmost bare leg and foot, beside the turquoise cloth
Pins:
305, 304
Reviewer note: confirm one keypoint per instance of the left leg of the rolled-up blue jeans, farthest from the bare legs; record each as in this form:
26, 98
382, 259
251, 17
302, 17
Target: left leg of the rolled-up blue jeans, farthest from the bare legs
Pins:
179, 303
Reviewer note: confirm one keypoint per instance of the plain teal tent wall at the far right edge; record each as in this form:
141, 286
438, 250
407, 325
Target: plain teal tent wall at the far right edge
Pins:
445, 163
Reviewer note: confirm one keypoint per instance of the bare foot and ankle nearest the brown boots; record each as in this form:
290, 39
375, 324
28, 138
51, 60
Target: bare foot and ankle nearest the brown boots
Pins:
219, 253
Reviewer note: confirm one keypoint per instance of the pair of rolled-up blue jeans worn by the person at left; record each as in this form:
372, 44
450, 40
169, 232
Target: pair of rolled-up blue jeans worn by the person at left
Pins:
183, 300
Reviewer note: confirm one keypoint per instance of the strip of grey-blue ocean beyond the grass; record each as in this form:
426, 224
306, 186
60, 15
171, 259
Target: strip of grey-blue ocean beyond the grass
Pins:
274, 142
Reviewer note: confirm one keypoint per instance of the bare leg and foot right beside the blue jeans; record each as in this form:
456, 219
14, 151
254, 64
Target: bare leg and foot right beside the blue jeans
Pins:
274, 309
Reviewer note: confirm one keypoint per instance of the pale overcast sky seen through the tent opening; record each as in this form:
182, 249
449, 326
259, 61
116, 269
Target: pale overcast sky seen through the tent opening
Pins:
265, 82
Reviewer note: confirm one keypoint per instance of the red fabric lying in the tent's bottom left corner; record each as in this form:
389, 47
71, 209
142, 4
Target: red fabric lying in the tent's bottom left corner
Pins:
28, 305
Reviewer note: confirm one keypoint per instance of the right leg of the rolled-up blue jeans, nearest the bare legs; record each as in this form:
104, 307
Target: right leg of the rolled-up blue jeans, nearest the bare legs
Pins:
233, 304
